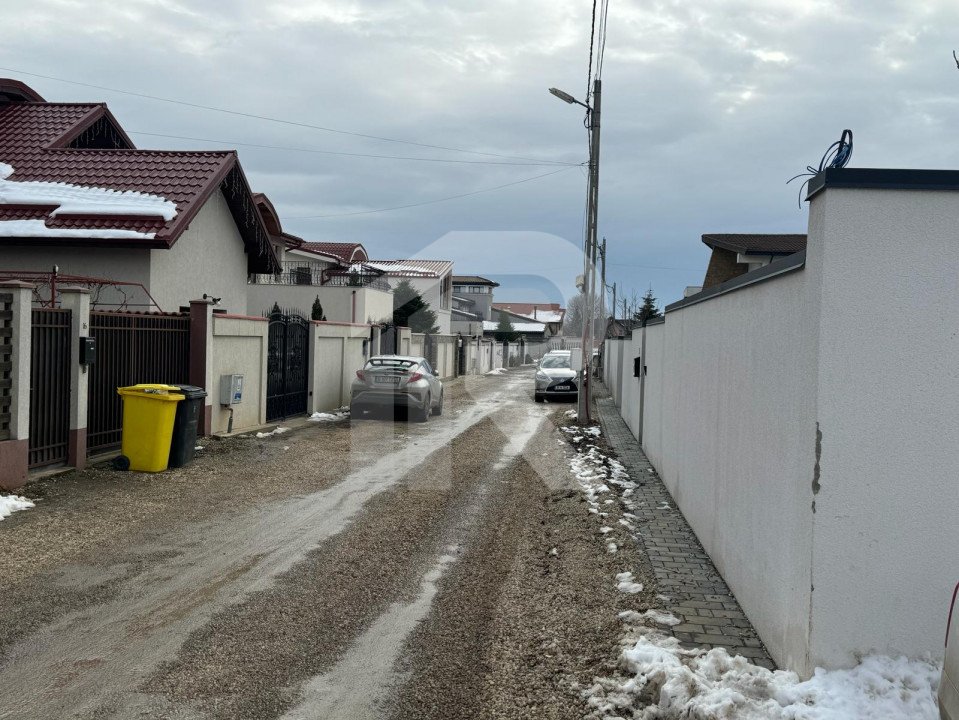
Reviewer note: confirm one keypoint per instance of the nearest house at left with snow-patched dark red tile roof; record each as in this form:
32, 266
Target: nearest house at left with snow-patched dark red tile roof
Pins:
147, 229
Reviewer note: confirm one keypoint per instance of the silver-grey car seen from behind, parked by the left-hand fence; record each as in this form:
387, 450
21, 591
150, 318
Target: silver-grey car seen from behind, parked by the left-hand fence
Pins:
391, 381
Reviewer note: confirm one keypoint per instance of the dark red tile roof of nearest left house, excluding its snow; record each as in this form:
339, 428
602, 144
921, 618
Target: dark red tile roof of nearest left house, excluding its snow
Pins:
36, 137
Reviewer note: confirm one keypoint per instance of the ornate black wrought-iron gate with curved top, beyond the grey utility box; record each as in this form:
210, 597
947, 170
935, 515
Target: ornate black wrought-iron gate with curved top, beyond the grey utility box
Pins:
287, 365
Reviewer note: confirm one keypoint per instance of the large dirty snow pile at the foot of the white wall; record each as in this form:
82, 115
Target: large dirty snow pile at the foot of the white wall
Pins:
660, 680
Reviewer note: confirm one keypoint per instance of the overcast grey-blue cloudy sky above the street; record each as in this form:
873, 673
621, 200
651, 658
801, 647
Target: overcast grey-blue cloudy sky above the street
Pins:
708, 107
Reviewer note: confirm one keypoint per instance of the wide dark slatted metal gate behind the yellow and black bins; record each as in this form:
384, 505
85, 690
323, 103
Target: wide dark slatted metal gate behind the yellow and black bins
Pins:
131, 348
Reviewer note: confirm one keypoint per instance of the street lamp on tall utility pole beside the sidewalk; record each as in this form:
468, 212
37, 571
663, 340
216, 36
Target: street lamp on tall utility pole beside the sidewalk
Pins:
592, 199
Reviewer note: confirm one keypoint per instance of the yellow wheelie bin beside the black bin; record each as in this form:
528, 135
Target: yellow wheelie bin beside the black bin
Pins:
148, 414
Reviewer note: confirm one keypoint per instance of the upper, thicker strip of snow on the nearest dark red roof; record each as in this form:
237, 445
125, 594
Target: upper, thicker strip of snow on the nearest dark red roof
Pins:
81, 200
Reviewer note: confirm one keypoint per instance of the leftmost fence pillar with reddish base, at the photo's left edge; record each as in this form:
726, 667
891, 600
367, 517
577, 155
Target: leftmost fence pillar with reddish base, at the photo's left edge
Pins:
15, 383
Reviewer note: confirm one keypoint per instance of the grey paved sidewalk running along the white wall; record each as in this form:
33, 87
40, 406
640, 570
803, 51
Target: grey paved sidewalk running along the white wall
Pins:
697, 593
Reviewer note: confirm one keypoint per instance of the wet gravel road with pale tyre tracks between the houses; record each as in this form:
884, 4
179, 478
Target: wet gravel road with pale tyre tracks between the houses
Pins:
371, 569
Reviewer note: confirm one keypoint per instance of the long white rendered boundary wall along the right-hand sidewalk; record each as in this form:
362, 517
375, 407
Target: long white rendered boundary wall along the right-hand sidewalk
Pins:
807, 428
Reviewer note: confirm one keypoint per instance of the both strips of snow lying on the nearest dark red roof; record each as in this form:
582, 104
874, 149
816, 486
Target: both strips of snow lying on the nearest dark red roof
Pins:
70, 199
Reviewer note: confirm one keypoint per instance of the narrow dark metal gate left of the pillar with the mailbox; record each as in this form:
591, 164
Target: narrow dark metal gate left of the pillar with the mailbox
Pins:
49, 387
